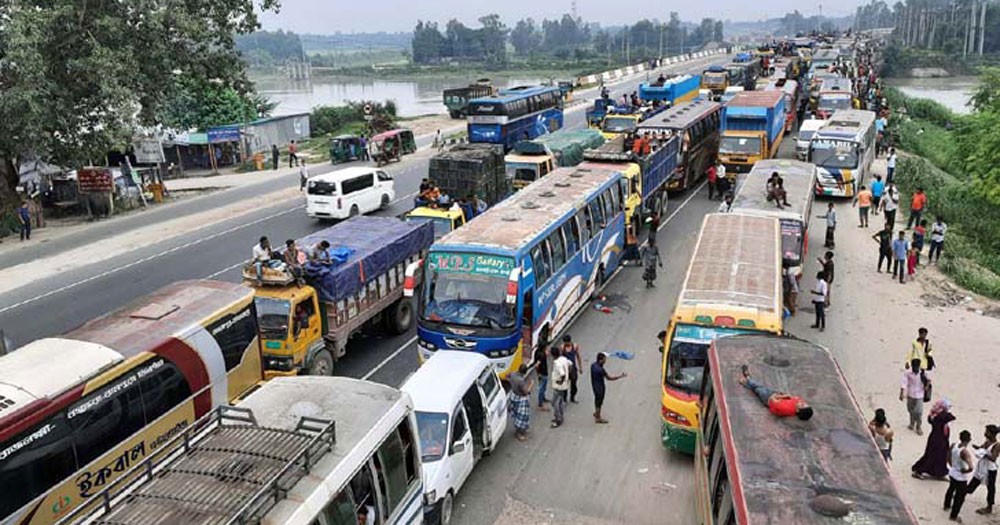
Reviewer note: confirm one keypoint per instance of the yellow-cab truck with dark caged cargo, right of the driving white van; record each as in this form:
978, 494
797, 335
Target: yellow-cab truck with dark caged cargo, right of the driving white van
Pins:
460, 172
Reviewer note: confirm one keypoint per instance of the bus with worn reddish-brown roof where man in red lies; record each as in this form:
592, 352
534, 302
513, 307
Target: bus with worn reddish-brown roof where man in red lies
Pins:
754, 468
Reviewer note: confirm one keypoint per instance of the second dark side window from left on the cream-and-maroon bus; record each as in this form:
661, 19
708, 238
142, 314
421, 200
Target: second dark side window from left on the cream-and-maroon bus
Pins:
100, 422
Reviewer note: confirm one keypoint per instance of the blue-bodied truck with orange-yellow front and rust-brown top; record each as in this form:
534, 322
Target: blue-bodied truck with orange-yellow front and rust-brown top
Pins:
753, 125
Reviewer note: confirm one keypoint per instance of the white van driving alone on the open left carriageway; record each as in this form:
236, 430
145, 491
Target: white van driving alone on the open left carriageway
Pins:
348, 192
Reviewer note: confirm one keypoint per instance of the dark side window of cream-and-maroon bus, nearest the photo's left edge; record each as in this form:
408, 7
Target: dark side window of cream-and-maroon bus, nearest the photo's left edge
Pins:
22, 475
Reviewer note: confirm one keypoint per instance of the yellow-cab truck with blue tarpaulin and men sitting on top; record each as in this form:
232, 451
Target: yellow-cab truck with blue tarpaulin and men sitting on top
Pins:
305, 322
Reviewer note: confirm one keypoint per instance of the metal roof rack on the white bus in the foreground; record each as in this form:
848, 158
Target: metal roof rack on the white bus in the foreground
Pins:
224, 469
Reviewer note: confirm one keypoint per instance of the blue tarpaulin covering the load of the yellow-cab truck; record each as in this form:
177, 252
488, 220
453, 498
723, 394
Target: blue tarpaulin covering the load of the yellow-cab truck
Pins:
369, 246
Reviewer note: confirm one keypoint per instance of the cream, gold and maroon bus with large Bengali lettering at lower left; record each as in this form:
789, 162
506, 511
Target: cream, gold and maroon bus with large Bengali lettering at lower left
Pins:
77, 411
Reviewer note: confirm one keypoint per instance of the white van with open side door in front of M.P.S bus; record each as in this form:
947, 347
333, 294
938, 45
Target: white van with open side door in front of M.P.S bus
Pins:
461, 413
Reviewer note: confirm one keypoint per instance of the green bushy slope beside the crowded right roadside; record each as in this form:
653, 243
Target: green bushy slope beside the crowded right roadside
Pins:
932, 141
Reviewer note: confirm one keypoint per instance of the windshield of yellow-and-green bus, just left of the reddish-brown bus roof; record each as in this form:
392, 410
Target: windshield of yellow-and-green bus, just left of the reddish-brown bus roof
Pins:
688, 353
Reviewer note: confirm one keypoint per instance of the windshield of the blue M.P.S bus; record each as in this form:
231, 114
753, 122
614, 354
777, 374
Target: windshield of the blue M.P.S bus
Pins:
468, 290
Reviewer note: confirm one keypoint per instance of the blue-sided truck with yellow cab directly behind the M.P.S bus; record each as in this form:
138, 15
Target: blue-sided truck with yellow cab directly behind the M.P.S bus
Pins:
647, 174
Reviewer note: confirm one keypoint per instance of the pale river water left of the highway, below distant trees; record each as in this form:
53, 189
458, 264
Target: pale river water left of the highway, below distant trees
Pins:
413, 98
